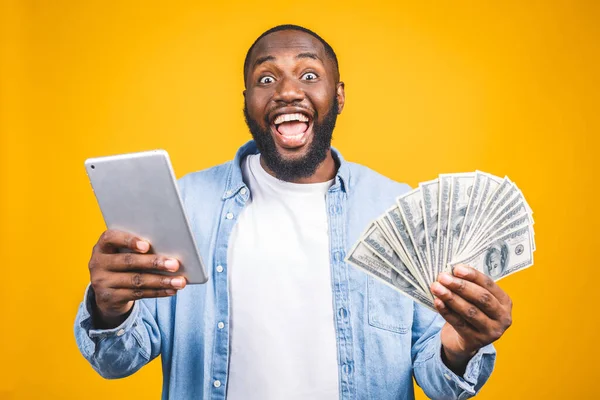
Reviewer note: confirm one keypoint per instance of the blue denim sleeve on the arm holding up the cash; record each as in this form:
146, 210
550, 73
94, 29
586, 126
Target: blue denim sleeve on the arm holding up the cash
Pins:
431, 374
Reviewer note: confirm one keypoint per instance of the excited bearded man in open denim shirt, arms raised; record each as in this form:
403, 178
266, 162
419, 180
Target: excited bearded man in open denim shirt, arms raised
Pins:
282, 315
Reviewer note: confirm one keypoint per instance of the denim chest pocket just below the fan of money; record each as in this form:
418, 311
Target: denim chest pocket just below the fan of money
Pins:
387, 308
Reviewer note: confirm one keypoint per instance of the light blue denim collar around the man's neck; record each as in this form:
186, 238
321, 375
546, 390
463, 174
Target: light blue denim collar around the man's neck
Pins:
235, 180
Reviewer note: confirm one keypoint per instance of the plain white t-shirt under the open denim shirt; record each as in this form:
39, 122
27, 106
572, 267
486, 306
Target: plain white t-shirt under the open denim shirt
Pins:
283, 341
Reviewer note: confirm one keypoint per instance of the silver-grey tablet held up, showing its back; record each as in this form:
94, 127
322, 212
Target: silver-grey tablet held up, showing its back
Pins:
137, 193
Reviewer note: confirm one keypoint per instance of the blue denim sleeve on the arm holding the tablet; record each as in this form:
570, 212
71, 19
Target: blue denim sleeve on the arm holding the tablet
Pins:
121, 351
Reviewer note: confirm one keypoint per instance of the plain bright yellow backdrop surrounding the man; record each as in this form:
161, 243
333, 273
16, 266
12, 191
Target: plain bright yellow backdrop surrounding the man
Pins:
432, 87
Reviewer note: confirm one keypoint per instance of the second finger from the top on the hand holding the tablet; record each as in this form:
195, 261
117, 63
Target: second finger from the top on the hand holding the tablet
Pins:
138, 262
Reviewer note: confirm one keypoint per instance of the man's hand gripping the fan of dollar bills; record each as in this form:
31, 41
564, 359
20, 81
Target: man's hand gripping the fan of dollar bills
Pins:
476, 310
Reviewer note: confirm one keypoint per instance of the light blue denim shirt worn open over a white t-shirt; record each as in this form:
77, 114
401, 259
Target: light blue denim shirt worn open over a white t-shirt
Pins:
383, 337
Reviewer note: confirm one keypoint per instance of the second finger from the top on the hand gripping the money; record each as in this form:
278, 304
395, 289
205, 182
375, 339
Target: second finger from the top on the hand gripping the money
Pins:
473, 293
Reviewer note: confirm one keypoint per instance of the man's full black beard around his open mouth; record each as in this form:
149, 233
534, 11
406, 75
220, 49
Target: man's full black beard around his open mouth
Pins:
290, 170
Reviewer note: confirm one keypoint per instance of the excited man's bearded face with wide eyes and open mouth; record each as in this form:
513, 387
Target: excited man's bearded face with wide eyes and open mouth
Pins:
291, 102
